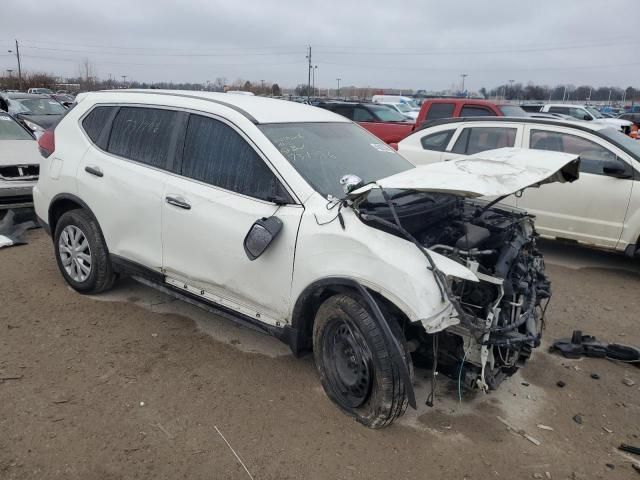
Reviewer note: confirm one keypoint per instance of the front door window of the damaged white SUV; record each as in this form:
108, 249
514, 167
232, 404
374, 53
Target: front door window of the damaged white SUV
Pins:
216, 154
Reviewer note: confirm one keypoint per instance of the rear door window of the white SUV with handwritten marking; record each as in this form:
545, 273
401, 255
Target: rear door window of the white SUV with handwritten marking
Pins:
143, 135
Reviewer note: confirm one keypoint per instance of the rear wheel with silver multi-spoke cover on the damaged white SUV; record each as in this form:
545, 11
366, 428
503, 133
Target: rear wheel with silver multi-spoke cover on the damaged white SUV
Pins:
81, 253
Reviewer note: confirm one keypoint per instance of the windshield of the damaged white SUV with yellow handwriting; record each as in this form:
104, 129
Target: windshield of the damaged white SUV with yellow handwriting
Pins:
324, 152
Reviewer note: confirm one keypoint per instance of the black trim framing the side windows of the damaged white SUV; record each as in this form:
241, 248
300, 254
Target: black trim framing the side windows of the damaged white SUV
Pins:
175, 155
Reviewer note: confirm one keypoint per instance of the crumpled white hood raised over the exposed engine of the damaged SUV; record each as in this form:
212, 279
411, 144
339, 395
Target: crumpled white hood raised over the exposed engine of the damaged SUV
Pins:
492, 173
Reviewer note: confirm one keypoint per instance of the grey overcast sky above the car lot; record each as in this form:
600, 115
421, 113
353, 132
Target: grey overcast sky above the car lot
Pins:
379, 43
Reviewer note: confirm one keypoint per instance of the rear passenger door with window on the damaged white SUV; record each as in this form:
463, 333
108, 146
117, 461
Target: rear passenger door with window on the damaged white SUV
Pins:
121, 177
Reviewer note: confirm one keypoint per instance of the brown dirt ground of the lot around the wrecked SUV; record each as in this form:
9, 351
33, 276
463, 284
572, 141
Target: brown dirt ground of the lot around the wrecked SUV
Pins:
132, 385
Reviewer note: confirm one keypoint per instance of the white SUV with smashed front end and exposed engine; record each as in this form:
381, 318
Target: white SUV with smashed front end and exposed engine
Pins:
298, 222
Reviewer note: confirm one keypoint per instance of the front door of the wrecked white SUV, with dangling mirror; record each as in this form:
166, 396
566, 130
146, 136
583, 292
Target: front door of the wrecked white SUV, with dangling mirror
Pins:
224, 185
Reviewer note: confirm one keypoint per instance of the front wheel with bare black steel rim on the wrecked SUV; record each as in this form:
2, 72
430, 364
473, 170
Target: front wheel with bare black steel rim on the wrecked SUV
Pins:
354, 362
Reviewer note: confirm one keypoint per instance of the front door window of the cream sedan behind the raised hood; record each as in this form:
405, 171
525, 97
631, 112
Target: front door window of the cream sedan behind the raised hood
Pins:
592, 155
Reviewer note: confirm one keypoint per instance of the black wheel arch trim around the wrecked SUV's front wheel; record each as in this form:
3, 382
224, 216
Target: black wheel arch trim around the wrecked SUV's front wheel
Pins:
300, 319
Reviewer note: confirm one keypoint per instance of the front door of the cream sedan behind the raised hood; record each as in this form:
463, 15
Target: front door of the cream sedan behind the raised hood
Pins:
591, 209
